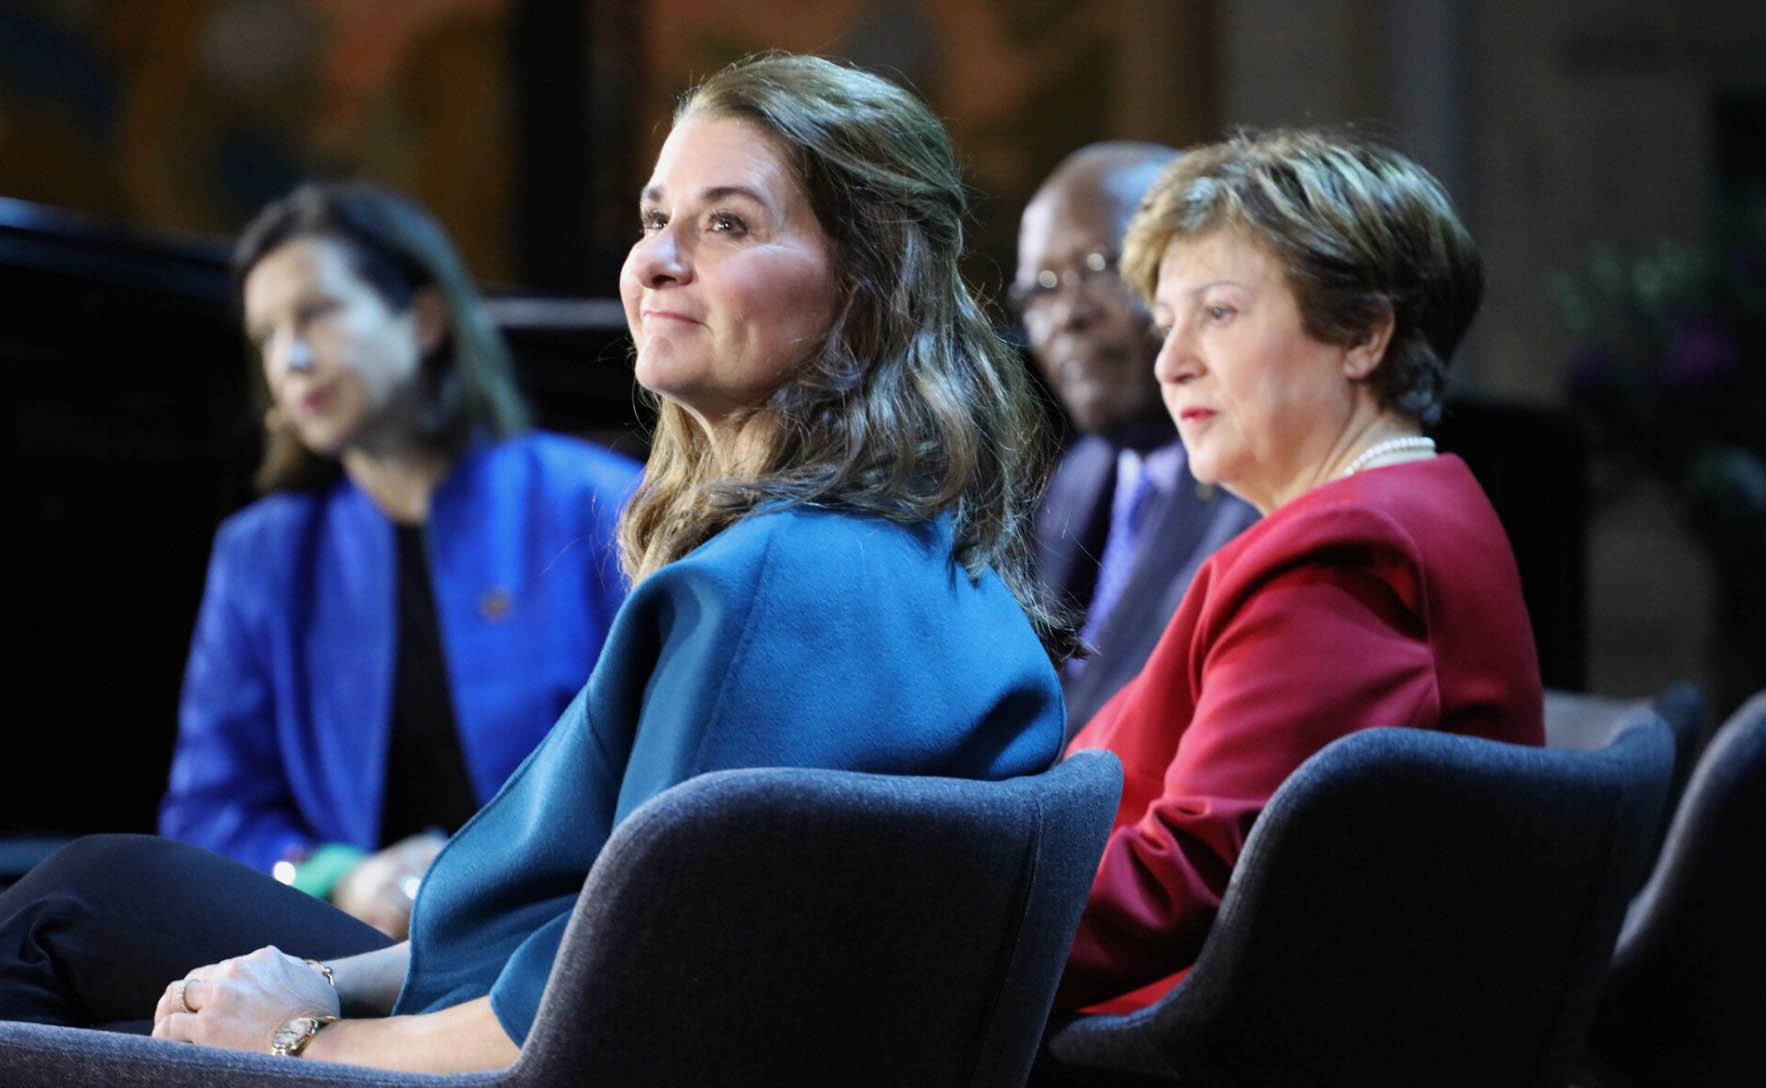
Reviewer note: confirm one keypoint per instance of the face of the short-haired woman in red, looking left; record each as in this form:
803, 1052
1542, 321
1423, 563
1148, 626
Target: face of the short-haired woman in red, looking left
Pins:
1264, 409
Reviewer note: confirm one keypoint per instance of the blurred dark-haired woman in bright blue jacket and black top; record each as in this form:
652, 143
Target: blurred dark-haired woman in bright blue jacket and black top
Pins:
398, 623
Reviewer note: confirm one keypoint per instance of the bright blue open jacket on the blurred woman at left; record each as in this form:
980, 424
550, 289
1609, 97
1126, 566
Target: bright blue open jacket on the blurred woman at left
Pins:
289, 691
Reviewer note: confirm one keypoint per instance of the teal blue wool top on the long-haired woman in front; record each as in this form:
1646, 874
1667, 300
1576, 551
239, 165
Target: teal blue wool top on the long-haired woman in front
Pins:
794, 638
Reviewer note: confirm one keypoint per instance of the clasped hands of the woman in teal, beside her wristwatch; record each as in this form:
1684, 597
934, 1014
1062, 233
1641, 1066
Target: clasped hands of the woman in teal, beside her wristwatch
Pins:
239, 1004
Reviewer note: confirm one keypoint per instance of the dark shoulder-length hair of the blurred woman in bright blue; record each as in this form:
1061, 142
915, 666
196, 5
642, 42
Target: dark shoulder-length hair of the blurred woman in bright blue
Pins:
465, 384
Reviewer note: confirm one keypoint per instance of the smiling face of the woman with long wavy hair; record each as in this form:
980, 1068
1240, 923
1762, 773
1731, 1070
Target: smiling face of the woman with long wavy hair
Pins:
732, 283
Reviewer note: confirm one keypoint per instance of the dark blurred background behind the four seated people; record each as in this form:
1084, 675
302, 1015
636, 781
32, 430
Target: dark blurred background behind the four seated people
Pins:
1608, 155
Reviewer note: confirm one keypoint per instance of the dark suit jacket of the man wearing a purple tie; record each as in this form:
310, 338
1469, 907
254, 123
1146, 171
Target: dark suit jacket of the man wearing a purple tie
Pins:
1073, 524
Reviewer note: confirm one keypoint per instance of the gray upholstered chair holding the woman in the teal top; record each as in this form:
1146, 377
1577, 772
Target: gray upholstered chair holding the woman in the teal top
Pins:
764, 928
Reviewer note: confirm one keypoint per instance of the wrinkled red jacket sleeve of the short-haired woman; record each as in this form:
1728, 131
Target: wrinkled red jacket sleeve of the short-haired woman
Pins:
1313, 654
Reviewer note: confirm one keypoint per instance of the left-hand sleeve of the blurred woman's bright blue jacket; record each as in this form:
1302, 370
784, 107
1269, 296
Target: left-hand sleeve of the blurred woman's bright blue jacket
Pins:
229, 790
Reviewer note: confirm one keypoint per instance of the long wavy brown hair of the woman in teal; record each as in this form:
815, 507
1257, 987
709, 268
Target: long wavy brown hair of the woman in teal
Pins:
912, 405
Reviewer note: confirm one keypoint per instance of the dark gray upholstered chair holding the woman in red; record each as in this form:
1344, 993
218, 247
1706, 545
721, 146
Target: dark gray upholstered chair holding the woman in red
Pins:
1412, 909
